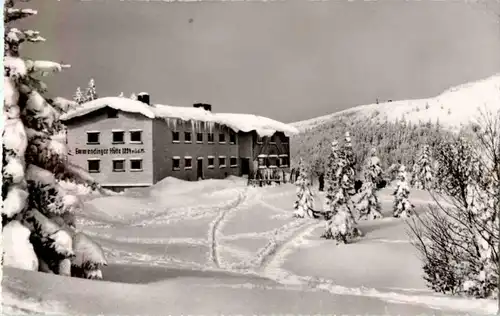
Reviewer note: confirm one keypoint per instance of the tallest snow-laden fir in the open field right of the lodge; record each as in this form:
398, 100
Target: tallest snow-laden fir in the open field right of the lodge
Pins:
340, 224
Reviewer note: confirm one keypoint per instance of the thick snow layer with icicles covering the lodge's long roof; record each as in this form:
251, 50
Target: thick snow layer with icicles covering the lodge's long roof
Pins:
238, 122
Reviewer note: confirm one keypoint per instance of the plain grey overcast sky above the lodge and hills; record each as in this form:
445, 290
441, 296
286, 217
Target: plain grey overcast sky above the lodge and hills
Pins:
288, 60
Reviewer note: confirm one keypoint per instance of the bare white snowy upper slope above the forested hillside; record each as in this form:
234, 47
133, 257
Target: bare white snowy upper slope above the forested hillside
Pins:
454, 107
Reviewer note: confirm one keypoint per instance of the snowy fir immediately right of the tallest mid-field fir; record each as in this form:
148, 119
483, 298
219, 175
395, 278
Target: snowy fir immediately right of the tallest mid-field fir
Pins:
368, 206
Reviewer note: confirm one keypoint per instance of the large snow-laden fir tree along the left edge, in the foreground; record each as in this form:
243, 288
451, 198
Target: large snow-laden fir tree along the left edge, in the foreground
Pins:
38, 224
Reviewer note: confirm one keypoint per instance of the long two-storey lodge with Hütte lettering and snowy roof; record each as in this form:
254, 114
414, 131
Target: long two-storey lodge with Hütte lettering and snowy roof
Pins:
127, 143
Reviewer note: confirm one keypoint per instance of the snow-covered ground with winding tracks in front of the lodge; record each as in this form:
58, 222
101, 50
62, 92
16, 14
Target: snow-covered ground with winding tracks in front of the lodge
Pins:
220, 247
